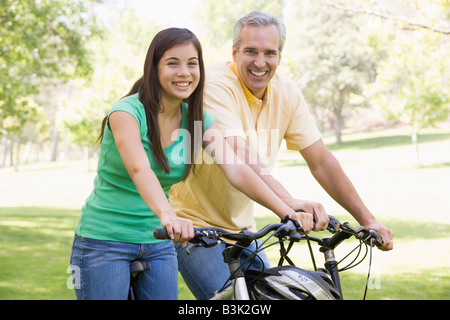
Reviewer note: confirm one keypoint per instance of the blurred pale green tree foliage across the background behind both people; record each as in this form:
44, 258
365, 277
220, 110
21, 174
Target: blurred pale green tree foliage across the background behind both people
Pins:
52, 63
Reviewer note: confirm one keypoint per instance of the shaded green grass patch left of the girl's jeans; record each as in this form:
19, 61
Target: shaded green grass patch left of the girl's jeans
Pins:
34, 252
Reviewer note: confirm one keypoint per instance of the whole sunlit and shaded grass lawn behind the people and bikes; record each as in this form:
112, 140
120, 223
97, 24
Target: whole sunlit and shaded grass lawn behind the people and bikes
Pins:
39, 208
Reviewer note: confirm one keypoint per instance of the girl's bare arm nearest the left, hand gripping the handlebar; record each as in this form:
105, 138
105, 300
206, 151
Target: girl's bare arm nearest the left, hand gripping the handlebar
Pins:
128, 141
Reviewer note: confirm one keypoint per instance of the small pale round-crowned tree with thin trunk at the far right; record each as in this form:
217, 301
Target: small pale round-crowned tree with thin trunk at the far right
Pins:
413, 83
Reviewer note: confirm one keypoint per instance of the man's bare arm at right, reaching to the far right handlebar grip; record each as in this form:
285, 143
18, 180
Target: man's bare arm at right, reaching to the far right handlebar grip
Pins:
327, 171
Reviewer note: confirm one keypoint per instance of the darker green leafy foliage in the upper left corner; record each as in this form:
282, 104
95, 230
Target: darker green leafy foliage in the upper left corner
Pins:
40, 40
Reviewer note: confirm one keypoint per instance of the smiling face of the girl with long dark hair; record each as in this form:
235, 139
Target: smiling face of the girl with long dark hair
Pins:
178, 73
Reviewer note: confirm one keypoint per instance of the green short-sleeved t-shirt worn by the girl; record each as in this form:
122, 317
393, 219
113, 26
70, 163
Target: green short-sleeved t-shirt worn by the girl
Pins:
114, 210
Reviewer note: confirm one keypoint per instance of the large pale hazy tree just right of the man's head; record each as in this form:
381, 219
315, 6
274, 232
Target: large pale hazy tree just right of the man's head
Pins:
331, 60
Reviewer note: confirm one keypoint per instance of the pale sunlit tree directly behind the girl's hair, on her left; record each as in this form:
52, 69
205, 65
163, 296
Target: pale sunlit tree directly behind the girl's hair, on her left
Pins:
118, 59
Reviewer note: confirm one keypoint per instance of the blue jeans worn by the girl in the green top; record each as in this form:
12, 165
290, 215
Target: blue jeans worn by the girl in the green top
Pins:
101, 270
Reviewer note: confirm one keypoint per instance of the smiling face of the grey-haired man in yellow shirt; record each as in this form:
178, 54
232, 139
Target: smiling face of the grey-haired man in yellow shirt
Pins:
258, 57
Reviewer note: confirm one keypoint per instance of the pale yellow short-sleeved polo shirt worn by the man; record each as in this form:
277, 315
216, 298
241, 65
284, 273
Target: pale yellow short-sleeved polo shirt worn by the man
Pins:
207, 198
